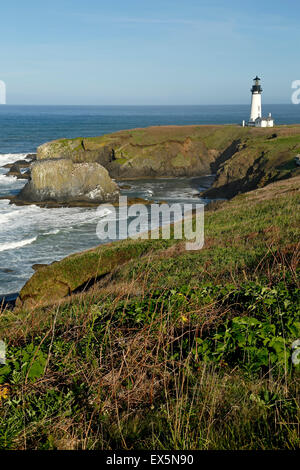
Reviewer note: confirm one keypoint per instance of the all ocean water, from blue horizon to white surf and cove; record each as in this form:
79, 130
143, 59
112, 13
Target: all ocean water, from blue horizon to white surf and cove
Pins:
31, 235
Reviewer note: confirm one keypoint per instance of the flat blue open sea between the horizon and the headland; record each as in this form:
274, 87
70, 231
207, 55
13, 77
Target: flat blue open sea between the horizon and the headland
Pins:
24, 127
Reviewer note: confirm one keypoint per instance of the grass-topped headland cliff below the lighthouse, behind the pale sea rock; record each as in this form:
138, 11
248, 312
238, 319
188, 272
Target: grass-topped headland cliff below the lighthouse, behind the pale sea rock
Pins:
243, 158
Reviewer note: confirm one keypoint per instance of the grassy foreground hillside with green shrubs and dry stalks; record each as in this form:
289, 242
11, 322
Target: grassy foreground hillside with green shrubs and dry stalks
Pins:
168, 348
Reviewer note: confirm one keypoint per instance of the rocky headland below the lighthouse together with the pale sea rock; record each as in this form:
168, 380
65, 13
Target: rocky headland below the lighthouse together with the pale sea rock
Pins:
79, 171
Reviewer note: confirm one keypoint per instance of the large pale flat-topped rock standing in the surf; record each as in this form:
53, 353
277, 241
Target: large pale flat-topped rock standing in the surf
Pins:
63, 181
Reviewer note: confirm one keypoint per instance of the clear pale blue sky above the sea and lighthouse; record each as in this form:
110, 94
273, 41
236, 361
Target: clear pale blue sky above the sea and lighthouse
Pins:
148, 52
